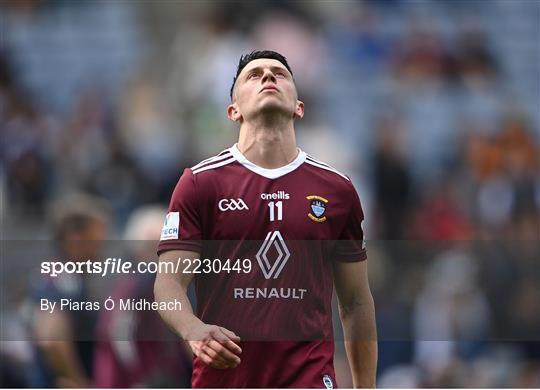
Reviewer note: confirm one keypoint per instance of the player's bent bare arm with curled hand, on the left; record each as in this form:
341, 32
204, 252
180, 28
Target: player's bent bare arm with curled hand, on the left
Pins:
214, 345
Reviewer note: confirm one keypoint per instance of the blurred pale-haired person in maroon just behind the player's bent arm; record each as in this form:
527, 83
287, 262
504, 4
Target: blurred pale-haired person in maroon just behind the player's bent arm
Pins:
135, 348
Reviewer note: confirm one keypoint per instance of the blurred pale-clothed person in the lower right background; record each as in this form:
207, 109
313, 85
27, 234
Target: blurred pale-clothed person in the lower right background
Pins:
450, 310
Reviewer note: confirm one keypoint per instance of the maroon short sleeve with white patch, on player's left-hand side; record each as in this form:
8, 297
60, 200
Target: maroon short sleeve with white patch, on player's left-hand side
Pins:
182, 226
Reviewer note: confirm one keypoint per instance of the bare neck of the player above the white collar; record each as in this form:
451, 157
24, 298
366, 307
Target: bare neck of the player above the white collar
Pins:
268, 145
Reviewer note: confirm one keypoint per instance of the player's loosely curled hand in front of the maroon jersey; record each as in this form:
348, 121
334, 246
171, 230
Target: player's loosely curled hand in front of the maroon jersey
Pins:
215, 346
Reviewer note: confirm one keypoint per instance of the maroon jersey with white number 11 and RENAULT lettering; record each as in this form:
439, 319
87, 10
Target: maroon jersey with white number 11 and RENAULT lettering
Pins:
280, 231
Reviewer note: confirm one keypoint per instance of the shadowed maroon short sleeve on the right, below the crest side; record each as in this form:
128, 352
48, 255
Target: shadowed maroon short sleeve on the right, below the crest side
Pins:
351, 244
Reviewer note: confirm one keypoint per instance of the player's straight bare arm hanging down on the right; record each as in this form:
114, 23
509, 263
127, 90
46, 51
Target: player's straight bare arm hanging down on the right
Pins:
357, 312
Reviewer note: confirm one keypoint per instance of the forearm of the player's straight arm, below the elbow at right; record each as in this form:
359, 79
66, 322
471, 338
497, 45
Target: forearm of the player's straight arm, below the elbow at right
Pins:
360, 332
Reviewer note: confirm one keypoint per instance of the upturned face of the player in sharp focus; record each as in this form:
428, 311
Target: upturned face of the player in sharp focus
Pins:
264, 86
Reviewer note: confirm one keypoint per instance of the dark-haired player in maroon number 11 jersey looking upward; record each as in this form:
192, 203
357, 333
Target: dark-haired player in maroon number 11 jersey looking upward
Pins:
265, 232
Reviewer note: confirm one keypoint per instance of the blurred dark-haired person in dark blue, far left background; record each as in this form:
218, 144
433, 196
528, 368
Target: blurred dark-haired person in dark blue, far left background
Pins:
65, 337
